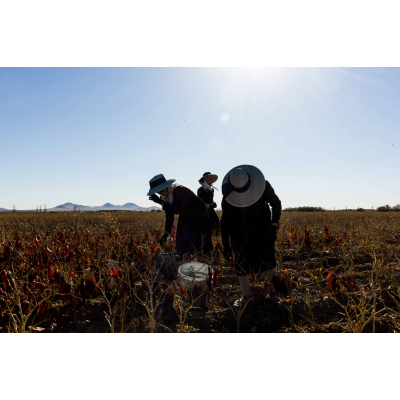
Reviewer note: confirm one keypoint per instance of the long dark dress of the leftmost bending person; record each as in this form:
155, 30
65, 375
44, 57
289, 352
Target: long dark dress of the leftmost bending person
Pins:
193, 234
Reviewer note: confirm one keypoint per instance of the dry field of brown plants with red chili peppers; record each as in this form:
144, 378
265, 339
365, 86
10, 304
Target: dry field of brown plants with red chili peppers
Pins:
338, 272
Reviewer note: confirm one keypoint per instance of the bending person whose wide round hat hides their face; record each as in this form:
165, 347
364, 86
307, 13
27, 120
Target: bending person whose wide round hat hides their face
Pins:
246, 221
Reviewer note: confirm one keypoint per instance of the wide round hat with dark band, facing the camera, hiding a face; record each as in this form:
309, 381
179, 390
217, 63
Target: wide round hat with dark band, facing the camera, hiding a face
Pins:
243, 186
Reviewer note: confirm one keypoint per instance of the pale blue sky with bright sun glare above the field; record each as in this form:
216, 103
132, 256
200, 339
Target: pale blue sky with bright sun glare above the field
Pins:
323, 137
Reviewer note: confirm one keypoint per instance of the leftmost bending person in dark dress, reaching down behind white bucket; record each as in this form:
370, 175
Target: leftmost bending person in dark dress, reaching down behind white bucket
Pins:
193, 234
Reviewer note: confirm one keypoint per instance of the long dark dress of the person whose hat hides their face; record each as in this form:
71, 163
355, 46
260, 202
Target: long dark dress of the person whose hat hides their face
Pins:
250, 231
